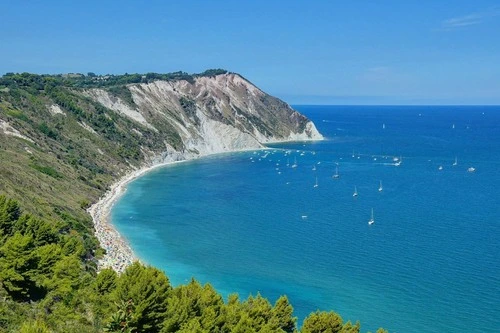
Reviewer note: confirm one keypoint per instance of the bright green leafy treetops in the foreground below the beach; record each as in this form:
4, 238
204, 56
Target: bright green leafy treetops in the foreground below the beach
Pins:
49, 283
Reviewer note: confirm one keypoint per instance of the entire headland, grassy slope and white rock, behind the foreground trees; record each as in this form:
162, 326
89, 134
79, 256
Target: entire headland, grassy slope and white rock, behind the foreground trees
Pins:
66, 138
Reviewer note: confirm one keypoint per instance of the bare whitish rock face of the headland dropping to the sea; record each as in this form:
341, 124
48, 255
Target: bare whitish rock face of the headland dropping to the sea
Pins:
212, 115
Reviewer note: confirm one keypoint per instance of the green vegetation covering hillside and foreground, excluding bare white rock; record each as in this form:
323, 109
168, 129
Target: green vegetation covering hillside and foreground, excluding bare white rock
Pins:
59, 162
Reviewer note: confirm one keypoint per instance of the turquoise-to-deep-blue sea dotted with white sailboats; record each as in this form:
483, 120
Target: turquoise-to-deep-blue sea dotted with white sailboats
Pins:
429, 263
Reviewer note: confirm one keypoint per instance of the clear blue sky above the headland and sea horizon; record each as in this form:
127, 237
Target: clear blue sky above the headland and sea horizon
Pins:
305, 52
